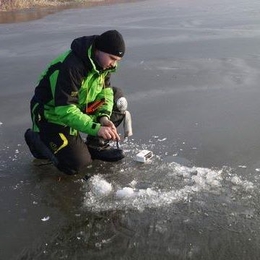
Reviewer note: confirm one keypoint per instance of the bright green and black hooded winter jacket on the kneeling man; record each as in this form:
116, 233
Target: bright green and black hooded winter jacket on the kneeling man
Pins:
72, 82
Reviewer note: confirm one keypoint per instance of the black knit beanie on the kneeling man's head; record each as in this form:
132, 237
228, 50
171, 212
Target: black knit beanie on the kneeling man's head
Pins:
111, 42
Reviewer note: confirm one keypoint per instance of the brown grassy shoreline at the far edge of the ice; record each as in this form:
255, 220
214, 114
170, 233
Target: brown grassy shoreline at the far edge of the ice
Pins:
46, 7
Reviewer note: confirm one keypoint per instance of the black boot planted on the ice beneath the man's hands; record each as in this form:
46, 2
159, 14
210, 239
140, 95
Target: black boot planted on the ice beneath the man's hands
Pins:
100, 149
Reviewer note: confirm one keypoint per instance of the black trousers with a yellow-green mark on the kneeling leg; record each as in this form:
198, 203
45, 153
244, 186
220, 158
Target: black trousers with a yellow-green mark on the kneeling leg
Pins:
70, 150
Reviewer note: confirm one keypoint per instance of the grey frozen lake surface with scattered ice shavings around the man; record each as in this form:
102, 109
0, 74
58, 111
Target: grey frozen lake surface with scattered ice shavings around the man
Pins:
191, 76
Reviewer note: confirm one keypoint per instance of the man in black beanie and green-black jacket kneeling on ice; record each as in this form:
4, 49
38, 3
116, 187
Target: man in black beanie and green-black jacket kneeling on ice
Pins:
74, 95
